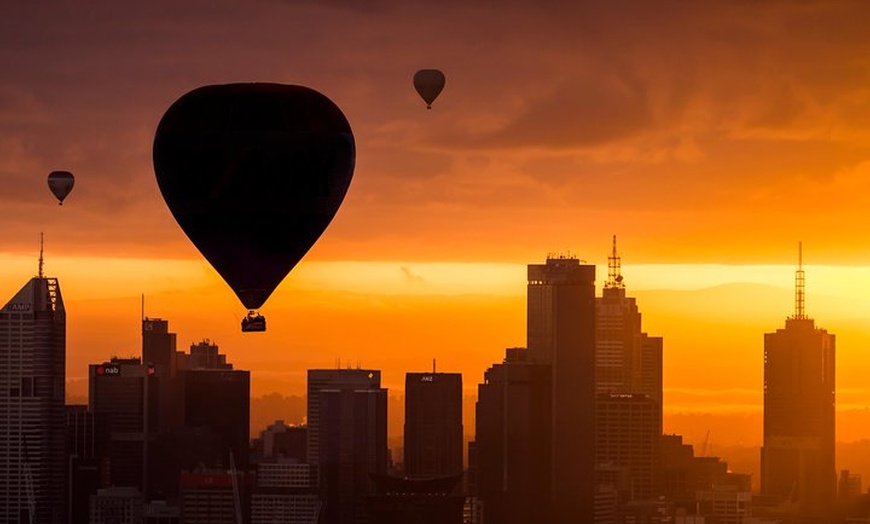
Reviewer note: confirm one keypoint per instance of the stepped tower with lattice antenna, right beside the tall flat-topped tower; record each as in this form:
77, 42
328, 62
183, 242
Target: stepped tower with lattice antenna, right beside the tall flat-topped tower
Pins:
627, 360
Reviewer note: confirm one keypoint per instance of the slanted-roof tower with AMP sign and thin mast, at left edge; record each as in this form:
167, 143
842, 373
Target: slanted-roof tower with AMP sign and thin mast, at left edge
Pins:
32, 417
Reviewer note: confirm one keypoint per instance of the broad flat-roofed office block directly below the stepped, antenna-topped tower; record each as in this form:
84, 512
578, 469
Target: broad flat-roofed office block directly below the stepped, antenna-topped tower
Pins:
628, 430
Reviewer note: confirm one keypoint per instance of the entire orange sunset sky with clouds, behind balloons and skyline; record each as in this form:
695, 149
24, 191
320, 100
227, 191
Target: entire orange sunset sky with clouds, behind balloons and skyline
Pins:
710, 136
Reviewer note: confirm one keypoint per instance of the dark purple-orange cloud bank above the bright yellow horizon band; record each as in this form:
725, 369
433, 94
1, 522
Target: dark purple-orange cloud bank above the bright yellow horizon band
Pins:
599, 104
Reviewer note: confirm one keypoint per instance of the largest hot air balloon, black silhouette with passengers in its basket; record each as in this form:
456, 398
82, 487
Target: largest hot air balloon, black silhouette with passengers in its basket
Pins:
253, 174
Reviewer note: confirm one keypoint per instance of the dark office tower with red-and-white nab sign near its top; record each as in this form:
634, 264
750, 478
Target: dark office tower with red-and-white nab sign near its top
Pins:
124, 392
